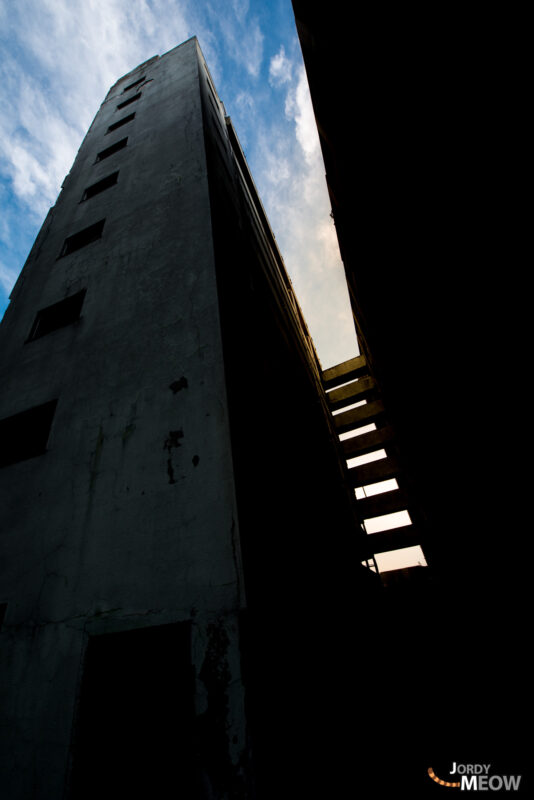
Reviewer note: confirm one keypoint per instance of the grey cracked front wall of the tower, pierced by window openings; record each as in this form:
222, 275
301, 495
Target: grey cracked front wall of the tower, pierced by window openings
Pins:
129, 518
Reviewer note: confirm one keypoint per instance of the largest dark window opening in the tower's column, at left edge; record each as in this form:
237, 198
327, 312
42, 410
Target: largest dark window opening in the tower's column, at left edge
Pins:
25, 435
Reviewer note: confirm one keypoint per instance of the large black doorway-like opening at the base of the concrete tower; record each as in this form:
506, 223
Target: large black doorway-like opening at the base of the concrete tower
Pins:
136, 720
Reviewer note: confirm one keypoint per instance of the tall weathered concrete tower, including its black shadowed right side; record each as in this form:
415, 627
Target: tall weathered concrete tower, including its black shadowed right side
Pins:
181, 567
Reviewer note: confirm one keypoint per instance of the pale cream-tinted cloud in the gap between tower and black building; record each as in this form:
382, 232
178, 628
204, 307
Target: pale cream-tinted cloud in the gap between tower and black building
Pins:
289, 172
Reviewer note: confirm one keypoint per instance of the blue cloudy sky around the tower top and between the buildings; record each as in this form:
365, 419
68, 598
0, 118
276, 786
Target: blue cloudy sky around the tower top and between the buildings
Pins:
58, 59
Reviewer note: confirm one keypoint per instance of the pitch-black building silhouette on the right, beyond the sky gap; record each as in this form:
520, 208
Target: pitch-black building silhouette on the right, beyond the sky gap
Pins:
419, 214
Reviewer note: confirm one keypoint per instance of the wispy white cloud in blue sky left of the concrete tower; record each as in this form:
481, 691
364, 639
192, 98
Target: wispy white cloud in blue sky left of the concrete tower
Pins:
68, 53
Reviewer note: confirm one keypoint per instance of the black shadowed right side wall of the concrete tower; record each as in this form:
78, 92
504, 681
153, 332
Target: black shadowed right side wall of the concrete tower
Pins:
307, 652
